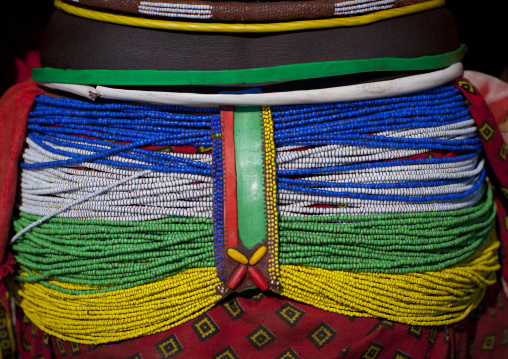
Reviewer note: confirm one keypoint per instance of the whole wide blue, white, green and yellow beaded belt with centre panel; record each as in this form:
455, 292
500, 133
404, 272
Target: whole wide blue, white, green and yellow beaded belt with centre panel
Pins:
135, 218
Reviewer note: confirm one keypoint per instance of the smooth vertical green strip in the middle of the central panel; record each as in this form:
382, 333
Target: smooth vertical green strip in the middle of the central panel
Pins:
250, 182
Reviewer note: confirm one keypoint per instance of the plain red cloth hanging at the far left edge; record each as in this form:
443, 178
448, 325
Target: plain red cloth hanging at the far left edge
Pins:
15, 106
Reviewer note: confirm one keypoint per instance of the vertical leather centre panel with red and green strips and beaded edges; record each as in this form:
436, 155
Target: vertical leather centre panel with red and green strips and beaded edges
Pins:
248, 256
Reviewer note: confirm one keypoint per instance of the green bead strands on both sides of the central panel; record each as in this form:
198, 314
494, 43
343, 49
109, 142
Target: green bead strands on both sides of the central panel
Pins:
120, 254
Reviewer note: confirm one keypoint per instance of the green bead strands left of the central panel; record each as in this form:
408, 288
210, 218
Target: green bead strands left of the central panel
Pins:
113, 254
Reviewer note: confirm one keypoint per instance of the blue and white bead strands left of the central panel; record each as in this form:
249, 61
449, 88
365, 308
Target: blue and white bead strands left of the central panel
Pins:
108, 142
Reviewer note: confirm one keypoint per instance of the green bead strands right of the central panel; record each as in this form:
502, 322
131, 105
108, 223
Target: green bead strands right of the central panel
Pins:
391, 243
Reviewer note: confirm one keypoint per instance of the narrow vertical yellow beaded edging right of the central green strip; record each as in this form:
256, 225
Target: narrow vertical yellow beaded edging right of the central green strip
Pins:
271, 194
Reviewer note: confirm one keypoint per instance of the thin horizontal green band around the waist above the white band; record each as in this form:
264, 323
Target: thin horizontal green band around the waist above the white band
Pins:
281, 73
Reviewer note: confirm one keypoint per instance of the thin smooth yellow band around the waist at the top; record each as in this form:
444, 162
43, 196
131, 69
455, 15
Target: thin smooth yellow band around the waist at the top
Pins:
259, 27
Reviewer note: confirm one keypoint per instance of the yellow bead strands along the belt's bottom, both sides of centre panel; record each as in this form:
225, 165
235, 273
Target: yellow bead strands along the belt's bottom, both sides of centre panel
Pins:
429, 298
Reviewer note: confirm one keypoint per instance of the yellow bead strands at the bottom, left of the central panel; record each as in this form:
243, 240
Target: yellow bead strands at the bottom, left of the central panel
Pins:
119, 315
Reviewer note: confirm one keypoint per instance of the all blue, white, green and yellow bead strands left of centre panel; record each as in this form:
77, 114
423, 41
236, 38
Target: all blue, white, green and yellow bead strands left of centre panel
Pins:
117, 274
